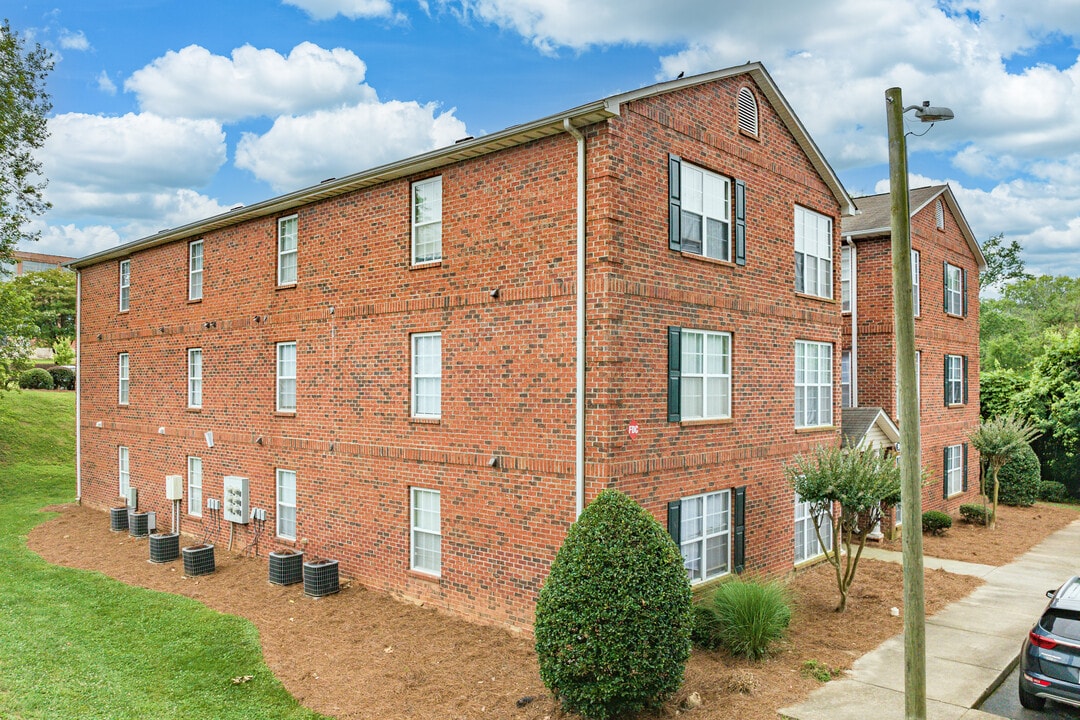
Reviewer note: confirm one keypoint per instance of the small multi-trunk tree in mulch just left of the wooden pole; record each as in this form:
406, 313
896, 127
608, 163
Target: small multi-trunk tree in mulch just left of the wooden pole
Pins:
849, 488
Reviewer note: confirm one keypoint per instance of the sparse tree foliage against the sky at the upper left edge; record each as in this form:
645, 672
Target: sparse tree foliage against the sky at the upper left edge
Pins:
23, 107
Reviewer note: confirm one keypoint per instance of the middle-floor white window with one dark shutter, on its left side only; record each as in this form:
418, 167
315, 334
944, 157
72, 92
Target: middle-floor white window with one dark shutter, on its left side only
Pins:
708, 370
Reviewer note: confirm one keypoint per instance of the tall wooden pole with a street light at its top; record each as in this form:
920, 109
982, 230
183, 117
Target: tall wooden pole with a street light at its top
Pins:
911, 458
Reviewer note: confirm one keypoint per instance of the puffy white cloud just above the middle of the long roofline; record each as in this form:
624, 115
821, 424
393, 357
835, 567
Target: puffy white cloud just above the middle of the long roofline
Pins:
300, 152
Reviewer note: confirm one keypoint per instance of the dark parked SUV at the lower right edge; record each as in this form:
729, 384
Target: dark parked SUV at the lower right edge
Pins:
1050, 660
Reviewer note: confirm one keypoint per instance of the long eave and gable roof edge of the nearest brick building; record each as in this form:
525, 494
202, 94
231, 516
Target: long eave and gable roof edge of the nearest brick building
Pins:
586, 115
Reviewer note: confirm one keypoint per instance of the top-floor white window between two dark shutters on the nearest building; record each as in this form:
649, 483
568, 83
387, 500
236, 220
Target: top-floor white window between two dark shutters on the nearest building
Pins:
706, 203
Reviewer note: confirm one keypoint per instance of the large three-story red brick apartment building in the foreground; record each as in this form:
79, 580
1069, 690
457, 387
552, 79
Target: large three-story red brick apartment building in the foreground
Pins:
428, 369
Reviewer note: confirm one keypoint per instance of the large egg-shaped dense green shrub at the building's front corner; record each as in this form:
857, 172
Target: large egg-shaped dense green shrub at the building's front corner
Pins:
614, 618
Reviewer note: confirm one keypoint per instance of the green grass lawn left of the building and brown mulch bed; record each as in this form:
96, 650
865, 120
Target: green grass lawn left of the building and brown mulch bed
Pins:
79, 645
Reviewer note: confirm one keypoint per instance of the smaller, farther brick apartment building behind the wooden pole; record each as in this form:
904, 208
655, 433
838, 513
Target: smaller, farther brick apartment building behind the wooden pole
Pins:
946, 266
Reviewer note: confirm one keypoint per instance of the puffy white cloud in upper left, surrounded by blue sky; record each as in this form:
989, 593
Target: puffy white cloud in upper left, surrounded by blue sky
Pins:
196, 84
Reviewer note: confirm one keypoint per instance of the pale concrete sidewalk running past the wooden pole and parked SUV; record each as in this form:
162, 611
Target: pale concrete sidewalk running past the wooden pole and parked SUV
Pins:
971, 645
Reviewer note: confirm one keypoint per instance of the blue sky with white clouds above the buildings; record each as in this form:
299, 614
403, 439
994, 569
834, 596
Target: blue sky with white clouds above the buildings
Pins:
166, 113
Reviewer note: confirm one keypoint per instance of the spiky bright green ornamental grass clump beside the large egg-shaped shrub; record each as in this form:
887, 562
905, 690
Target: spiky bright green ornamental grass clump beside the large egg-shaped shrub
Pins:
753, 615
